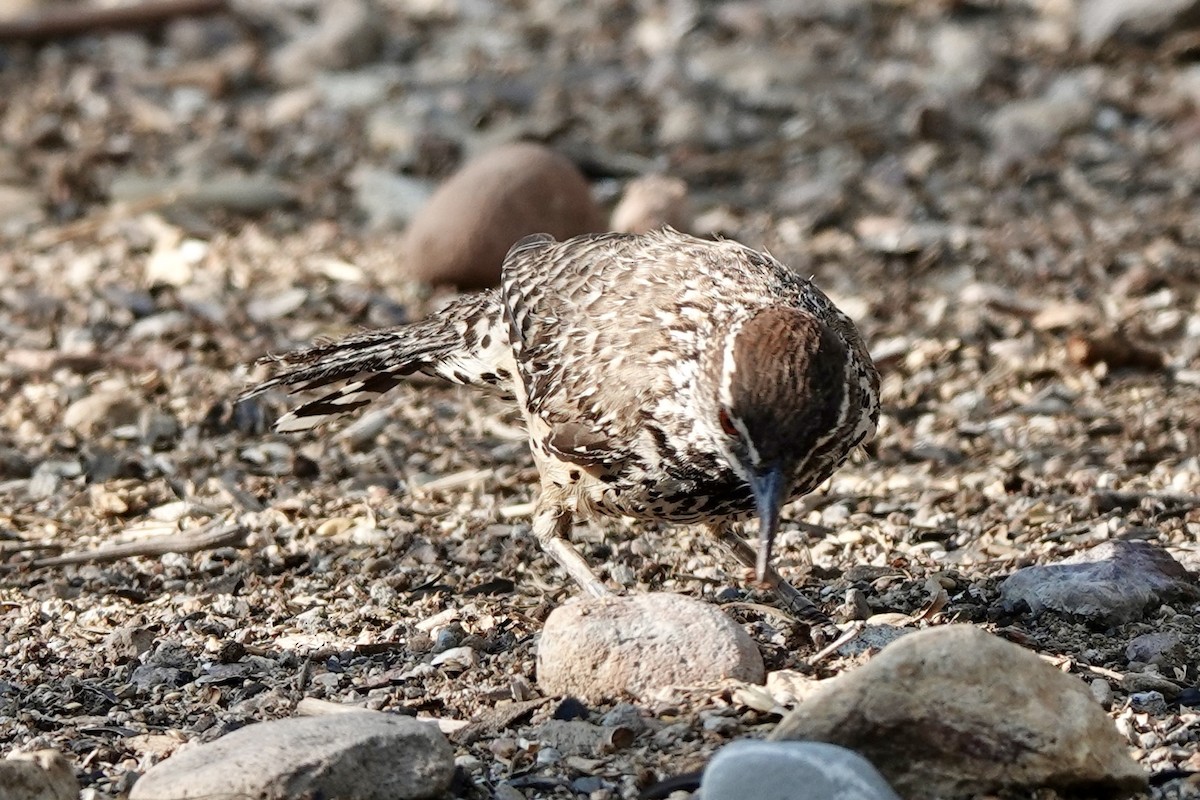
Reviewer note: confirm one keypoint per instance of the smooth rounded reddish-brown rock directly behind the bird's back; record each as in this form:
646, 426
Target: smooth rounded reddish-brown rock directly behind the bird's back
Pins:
465, 232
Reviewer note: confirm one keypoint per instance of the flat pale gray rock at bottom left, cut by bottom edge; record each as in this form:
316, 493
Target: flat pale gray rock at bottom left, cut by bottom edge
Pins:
358, 756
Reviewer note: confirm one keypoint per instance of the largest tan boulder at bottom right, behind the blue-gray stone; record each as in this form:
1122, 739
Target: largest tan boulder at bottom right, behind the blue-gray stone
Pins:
955, 711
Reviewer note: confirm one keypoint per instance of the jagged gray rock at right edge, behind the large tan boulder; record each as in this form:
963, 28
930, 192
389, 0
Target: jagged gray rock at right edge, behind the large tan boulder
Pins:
1112, 584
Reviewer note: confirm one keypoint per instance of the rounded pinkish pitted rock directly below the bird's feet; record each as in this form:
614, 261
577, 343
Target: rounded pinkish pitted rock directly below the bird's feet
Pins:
610, 647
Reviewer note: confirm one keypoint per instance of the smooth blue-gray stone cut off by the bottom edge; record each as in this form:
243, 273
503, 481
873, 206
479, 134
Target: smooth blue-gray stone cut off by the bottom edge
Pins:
787, 771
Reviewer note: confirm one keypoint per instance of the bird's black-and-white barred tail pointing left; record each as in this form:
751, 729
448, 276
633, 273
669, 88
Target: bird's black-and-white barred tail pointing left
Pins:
465, 344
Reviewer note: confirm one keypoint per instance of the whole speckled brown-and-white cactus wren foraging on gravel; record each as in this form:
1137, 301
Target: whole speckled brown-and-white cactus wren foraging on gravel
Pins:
662, 377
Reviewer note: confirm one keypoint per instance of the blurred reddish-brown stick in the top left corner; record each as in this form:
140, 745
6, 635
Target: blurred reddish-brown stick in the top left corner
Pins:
87, 19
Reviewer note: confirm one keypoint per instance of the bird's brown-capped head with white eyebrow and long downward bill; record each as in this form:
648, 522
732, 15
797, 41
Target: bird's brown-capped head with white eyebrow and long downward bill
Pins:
781, 395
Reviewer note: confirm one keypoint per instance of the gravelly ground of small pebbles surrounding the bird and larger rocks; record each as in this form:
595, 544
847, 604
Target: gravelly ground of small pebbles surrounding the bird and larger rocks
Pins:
1004, 195
